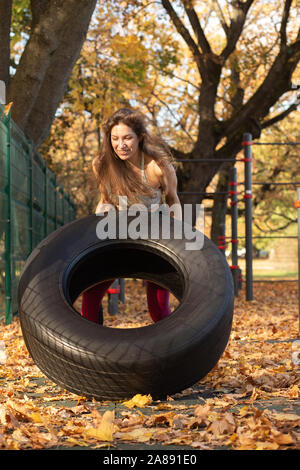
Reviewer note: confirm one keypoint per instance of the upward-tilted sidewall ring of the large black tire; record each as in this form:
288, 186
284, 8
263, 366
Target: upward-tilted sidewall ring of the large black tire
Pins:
203, 317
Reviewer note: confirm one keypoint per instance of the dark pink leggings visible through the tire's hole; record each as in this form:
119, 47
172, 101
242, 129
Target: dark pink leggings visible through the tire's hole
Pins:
157, 298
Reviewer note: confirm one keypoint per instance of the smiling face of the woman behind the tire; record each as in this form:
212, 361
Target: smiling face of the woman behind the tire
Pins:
125, 142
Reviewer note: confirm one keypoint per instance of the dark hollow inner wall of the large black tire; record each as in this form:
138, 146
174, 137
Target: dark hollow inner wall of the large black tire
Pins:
145, 260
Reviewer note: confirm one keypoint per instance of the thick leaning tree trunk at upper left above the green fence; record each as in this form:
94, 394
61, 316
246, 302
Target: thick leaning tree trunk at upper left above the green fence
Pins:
46, 63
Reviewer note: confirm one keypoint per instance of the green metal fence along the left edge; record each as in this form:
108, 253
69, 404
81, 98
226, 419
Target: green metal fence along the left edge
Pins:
32, 205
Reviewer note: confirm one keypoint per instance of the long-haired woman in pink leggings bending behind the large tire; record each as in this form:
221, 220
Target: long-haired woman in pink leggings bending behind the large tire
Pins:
136, 164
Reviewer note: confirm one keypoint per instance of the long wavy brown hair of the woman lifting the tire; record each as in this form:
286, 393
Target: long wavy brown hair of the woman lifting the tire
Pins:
115, 176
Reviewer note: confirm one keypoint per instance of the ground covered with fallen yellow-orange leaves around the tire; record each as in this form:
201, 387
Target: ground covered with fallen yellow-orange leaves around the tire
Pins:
250, 400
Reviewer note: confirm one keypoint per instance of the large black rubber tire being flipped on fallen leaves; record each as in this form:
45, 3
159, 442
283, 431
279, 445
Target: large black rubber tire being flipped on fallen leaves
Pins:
111, 363
